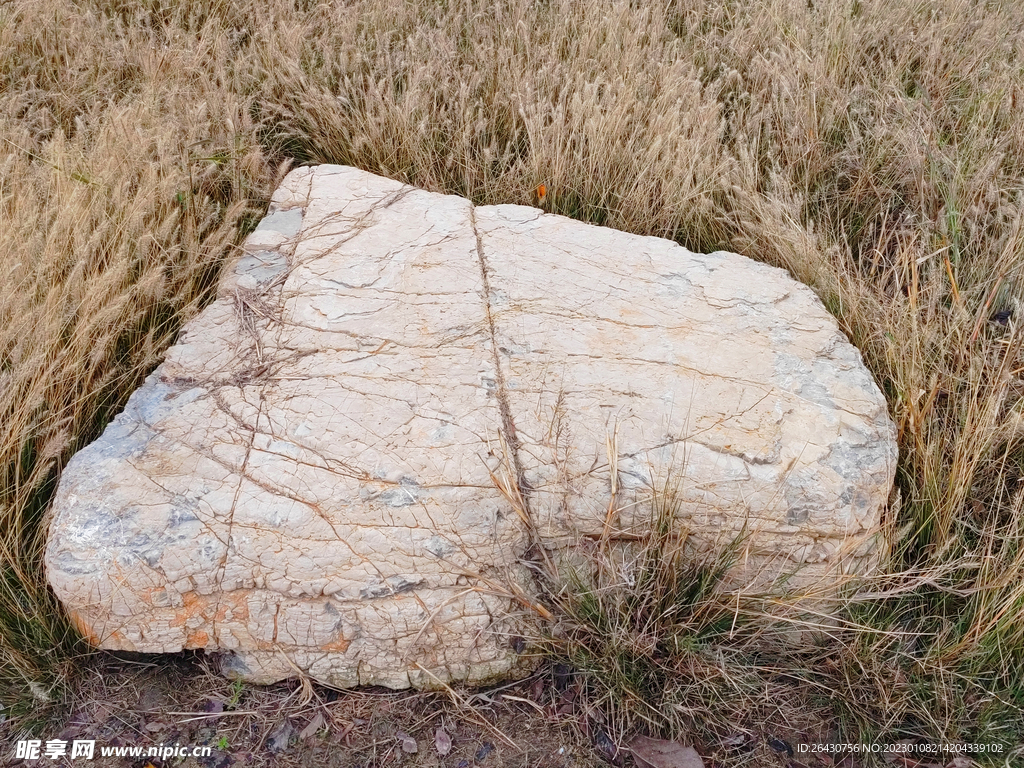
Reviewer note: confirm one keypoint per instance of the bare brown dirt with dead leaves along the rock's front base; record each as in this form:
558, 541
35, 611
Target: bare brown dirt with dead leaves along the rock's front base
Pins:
181, 704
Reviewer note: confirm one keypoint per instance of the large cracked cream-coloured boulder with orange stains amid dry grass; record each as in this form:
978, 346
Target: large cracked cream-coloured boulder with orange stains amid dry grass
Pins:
310, 482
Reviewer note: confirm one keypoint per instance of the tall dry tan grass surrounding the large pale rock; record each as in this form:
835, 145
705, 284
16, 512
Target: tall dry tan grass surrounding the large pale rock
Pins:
871, 147
